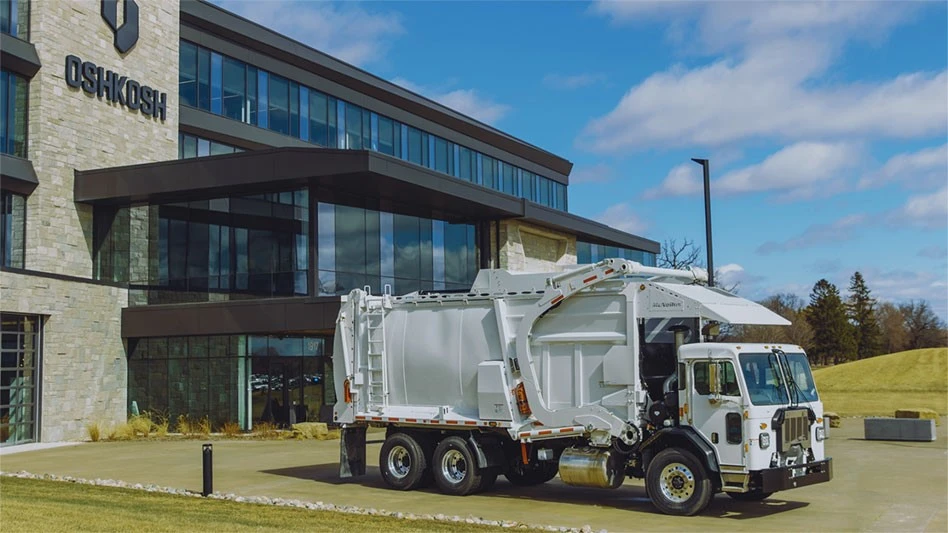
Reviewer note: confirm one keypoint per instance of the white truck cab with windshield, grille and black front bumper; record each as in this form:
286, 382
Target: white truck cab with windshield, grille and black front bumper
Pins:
758, 407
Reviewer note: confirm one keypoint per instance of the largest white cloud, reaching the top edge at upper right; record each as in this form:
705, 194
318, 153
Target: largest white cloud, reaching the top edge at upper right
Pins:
765, 88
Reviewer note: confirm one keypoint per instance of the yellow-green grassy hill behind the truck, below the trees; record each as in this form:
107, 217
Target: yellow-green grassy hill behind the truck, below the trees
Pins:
880, 385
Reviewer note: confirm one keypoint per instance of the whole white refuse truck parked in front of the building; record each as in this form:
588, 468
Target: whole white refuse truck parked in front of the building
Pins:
598, 373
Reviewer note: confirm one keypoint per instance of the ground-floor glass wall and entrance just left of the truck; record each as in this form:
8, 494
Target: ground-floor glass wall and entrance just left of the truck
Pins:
247, 379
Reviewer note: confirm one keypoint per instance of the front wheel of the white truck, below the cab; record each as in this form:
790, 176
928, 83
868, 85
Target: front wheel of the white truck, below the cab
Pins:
677, 483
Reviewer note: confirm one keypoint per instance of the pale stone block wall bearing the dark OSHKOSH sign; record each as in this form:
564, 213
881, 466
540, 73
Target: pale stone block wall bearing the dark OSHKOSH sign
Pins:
83, 358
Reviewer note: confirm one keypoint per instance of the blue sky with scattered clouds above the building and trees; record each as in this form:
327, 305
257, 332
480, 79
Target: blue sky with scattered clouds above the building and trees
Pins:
825, 123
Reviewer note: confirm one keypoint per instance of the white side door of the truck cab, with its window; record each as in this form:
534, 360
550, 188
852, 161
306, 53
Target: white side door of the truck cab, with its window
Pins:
718, 416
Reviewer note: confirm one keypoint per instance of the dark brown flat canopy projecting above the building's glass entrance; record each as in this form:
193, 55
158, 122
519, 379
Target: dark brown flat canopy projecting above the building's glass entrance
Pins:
339, 176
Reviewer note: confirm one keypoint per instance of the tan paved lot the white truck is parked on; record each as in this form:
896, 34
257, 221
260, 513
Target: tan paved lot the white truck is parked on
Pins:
878, 486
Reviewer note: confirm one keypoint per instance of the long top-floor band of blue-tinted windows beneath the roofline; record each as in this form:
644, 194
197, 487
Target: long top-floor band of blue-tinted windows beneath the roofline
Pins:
236, 90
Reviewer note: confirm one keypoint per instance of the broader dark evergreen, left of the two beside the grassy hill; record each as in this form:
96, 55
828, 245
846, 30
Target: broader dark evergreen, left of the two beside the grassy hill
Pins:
833, 340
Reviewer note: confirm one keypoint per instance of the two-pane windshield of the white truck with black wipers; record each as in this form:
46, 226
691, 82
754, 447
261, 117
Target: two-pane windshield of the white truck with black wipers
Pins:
765, 380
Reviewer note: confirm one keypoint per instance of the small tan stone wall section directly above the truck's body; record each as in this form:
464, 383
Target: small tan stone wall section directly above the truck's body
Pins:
528, 248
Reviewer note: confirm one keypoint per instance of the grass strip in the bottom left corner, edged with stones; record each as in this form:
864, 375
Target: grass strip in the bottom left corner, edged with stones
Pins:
51, 506
